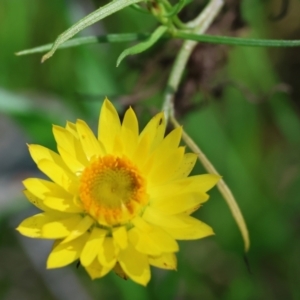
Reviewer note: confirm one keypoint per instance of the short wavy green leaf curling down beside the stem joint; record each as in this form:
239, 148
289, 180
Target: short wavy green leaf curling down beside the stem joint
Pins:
155, 36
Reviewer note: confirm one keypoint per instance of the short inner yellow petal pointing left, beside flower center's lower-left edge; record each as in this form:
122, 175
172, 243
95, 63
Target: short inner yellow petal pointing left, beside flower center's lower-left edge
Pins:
63, 204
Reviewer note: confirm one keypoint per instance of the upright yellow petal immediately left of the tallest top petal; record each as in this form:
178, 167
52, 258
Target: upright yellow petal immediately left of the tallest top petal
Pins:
90, 144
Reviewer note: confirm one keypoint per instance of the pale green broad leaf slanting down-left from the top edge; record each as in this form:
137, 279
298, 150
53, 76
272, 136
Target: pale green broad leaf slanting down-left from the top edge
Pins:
90, 19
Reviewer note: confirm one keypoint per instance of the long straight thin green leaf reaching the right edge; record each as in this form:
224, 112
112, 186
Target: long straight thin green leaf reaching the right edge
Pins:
214, 39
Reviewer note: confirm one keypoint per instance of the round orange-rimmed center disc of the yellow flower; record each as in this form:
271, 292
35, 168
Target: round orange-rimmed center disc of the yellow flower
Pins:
112, 190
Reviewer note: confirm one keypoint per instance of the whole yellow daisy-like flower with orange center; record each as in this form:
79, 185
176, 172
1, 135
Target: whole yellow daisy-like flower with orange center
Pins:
118, 202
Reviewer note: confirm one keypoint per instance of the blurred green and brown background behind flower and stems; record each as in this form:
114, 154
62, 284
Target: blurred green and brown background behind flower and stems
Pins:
241, 105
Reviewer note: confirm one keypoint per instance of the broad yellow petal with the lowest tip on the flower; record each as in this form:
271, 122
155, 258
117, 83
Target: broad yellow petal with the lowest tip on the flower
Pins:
135, 265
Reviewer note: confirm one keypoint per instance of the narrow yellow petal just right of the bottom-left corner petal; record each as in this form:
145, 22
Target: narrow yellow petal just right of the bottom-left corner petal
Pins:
92, 246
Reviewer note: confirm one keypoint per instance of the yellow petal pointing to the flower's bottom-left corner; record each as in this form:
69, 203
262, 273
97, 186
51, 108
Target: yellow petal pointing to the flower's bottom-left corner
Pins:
66, 253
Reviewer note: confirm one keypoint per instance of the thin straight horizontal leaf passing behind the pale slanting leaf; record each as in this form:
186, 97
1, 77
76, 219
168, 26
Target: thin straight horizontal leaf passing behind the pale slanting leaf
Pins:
109, 38
